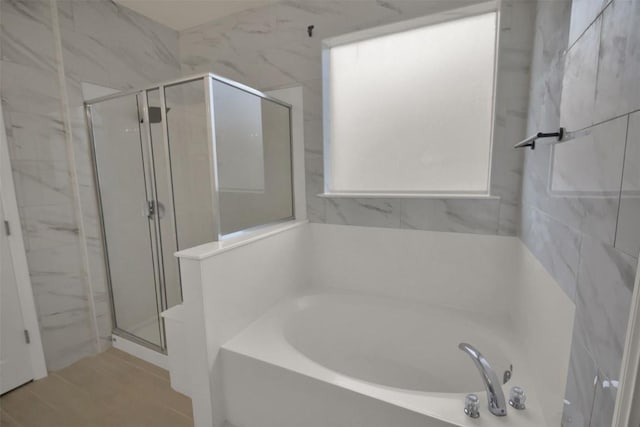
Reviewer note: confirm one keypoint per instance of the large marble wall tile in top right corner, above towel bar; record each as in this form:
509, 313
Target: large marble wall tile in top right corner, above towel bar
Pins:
617, 91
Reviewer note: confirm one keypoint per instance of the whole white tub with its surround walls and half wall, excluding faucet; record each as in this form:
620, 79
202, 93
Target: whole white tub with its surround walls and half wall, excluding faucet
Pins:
376, 344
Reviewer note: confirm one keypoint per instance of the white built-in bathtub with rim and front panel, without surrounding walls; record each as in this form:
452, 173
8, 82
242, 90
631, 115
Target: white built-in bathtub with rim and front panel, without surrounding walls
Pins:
328, 360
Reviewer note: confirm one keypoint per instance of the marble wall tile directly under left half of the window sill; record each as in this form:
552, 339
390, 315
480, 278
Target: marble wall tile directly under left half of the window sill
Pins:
363, 212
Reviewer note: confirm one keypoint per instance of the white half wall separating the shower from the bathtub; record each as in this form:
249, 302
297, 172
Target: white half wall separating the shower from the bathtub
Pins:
227, 285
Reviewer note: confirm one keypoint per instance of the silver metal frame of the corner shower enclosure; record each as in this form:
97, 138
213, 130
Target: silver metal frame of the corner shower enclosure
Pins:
150, 172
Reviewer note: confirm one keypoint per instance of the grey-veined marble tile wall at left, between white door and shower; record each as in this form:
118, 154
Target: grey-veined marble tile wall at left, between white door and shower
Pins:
104, 44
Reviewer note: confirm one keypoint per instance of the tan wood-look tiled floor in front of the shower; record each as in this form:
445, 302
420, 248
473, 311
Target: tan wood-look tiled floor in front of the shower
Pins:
111, 389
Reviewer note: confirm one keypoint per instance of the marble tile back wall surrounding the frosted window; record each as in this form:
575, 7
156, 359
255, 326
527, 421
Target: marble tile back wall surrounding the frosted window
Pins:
268, 47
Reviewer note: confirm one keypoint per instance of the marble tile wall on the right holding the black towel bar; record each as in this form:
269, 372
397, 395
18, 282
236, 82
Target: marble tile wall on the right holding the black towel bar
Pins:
578, 219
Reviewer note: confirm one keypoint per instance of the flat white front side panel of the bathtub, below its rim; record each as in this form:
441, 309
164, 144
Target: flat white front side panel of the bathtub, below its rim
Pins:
258, 394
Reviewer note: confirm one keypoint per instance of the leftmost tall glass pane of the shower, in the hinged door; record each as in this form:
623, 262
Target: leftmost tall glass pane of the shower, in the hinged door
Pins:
123, 185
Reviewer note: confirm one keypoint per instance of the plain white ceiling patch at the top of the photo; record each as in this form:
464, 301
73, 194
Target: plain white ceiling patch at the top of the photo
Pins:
183, 14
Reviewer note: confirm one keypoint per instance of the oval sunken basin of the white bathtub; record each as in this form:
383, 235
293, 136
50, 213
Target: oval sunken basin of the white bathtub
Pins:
397, 345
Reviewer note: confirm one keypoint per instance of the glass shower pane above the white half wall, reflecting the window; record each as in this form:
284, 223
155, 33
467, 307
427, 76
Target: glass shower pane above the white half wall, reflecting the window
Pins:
253, 140
